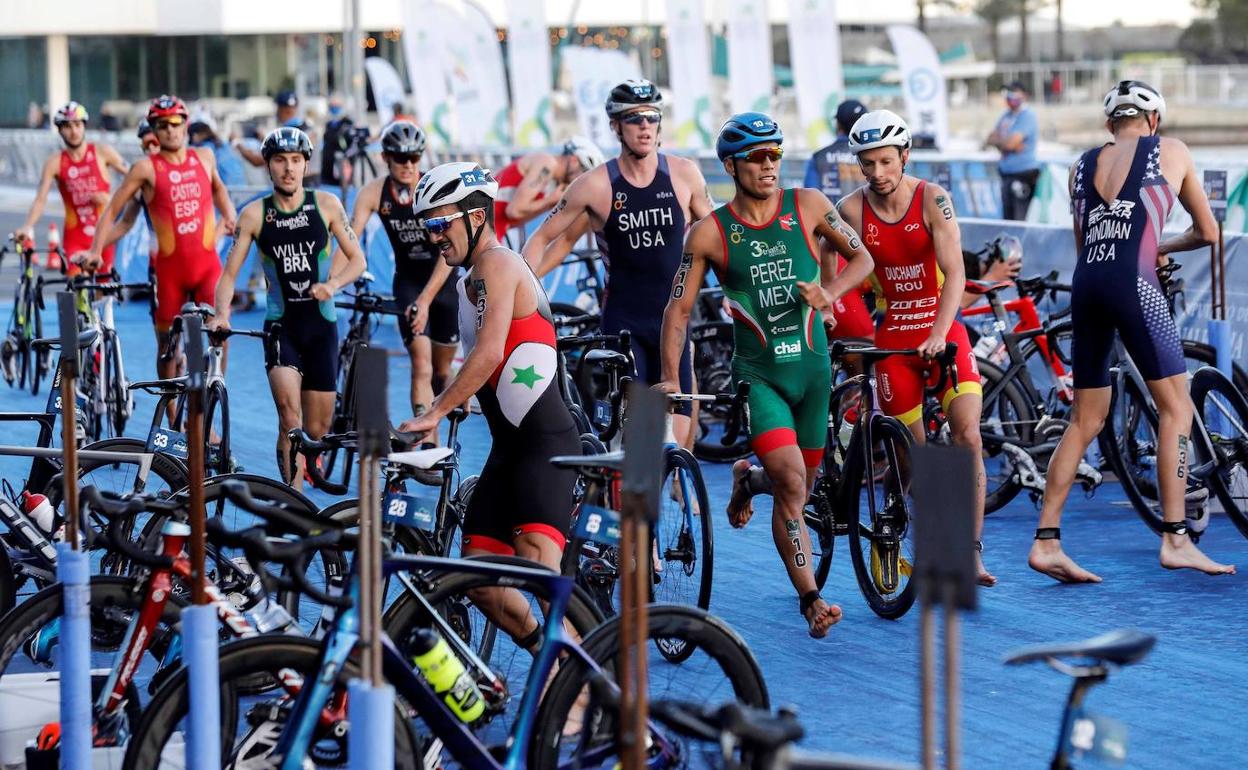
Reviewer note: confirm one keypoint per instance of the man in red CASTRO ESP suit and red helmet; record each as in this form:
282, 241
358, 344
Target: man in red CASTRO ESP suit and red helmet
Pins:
180, 187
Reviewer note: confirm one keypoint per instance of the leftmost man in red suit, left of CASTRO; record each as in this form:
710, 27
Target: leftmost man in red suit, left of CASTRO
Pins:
82, 175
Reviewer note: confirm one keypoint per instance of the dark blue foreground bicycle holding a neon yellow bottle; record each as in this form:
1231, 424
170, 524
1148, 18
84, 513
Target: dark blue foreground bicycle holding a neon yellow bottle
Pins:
286, 728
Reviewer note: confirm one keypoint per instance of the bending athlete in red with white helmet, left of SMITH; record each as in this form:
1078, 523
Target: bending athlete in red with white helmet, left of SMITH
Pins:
534, 184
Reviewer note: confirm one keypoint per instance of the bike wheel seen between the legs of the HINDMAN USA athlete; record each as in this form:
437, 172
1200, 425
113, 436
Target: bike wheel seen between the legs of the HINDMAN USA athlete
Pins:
1129, 442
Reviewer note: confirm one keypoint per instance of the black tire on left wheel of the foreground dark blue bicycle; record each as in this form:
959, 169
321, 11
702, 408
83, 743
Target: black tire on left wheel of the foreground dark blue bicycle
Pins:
249, 660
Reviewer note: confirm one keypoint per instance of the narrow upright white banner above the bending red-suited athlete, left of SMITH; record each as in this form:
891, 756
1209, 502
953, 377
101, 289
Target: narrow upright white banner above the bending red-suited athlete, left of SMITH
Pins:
529, 53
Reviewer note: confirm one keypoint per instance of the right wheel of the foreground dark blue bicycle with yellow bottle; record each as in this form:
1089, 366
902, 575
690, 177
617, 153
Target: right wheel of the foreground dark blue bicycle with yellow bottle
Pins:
722, 670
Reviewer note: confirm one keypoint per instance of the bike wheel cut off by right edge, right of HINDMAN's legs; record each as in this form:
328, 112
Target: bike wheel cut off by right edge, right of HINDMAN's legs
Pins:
1225, 412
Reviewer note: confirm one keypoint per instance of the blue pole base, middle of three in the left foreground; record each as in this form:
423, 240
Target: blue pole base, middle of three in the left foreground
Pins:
200, 628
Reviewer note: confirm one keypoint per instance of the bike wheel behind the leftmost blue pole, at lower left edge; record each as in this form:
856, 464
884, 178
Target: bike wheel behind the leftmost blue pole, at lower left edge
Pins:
29, 637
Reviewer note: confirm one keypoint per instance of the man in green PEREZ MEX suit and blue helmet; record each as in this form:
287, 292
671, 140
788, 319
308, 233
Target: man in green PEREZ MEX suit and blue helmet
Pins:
764, 249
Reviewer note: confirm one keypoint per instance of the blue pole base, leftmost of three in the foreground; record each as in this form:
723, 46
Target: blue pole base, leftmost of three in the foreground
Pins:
76, 658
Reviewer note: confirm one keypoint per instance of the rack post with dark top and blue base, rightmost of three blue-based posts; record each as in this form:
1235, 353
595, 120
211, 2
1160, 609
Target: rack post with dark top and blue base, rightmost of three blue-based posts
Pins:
371, 699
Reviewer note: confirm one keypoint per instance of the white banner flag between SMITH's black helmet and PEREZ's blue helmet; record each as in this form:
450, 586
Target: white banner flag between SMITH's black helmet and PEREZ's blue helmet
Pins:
690, 64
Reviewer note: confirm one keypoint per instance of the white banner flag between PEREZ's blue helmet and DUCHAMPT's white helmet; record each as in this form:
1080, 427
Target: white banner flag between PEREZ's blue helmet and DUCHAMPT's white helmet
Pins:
816, 54
